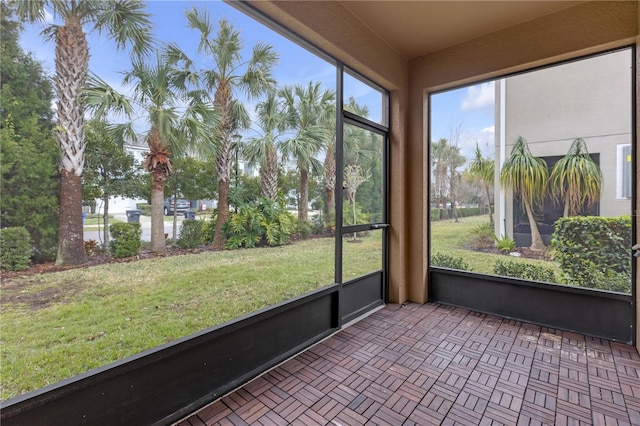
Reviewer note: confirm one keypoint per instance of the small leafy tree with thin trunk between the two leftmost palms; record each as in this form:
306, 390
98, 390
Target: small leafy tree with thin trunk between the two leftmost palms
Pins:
109, 170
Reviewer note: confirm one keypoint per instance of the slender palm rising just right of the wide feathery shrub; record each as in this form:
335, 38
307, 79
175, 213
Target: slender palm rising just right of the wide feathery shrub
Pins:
310, 108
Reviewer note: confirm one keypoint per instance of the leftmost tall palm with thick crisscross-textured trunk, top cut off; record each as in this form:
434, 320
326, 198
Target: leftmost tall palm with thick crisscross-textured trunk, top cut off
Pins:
125, 22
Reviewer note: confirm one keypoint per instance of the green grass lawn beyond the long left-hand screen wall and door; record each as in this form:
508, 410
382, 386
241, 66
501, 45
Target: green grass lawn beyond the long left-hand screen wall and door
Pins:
60, 324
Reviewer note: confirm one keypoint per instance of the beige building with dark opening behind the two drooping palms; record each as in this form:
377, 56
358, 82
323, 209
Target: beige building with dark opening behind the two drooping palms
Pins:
589, 99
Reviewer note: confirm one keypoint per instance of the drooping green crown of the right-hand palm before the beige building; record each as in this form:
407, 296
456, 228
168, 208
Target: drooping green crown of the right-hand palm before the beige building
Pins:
576, 178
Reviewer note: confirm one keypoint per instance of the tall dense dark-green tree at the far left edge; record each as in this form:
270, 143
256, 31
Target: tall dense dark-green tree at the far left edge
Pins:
28, 152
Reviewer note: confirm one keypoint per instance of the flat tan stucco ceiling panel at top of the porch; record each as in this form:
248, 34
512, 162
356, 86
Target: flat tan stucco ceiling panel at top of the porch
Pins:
415, 28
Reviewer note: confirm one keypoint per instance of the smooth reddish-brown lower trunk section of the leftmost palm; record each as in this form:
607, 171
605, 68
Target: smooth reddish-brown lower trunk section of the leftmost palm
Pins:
70, 232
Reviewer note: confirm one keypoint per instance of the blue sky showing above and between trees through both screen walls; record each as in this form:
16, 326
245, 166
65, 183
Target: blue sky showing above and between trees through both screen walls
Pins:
468, 109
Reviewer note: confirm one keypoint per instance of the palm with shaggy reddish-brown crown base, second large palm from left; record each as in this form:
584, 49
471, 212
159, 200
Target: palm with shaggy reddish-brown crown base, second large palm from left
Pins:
159, 92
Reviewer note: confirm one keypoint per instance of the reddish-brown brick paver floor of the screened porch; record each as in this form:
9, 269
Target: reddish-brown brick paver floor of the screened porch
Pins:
437, 365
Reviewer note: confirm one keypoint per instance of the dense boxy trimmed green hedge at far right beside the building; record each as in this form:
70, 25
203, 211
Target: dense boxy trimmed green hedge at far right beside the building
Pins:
592, 249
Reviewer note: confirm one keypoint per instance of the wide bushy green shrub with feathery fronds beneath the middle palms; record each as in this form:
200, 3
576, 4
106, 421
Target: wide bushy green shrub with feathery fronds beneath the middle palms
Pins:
265, 222
